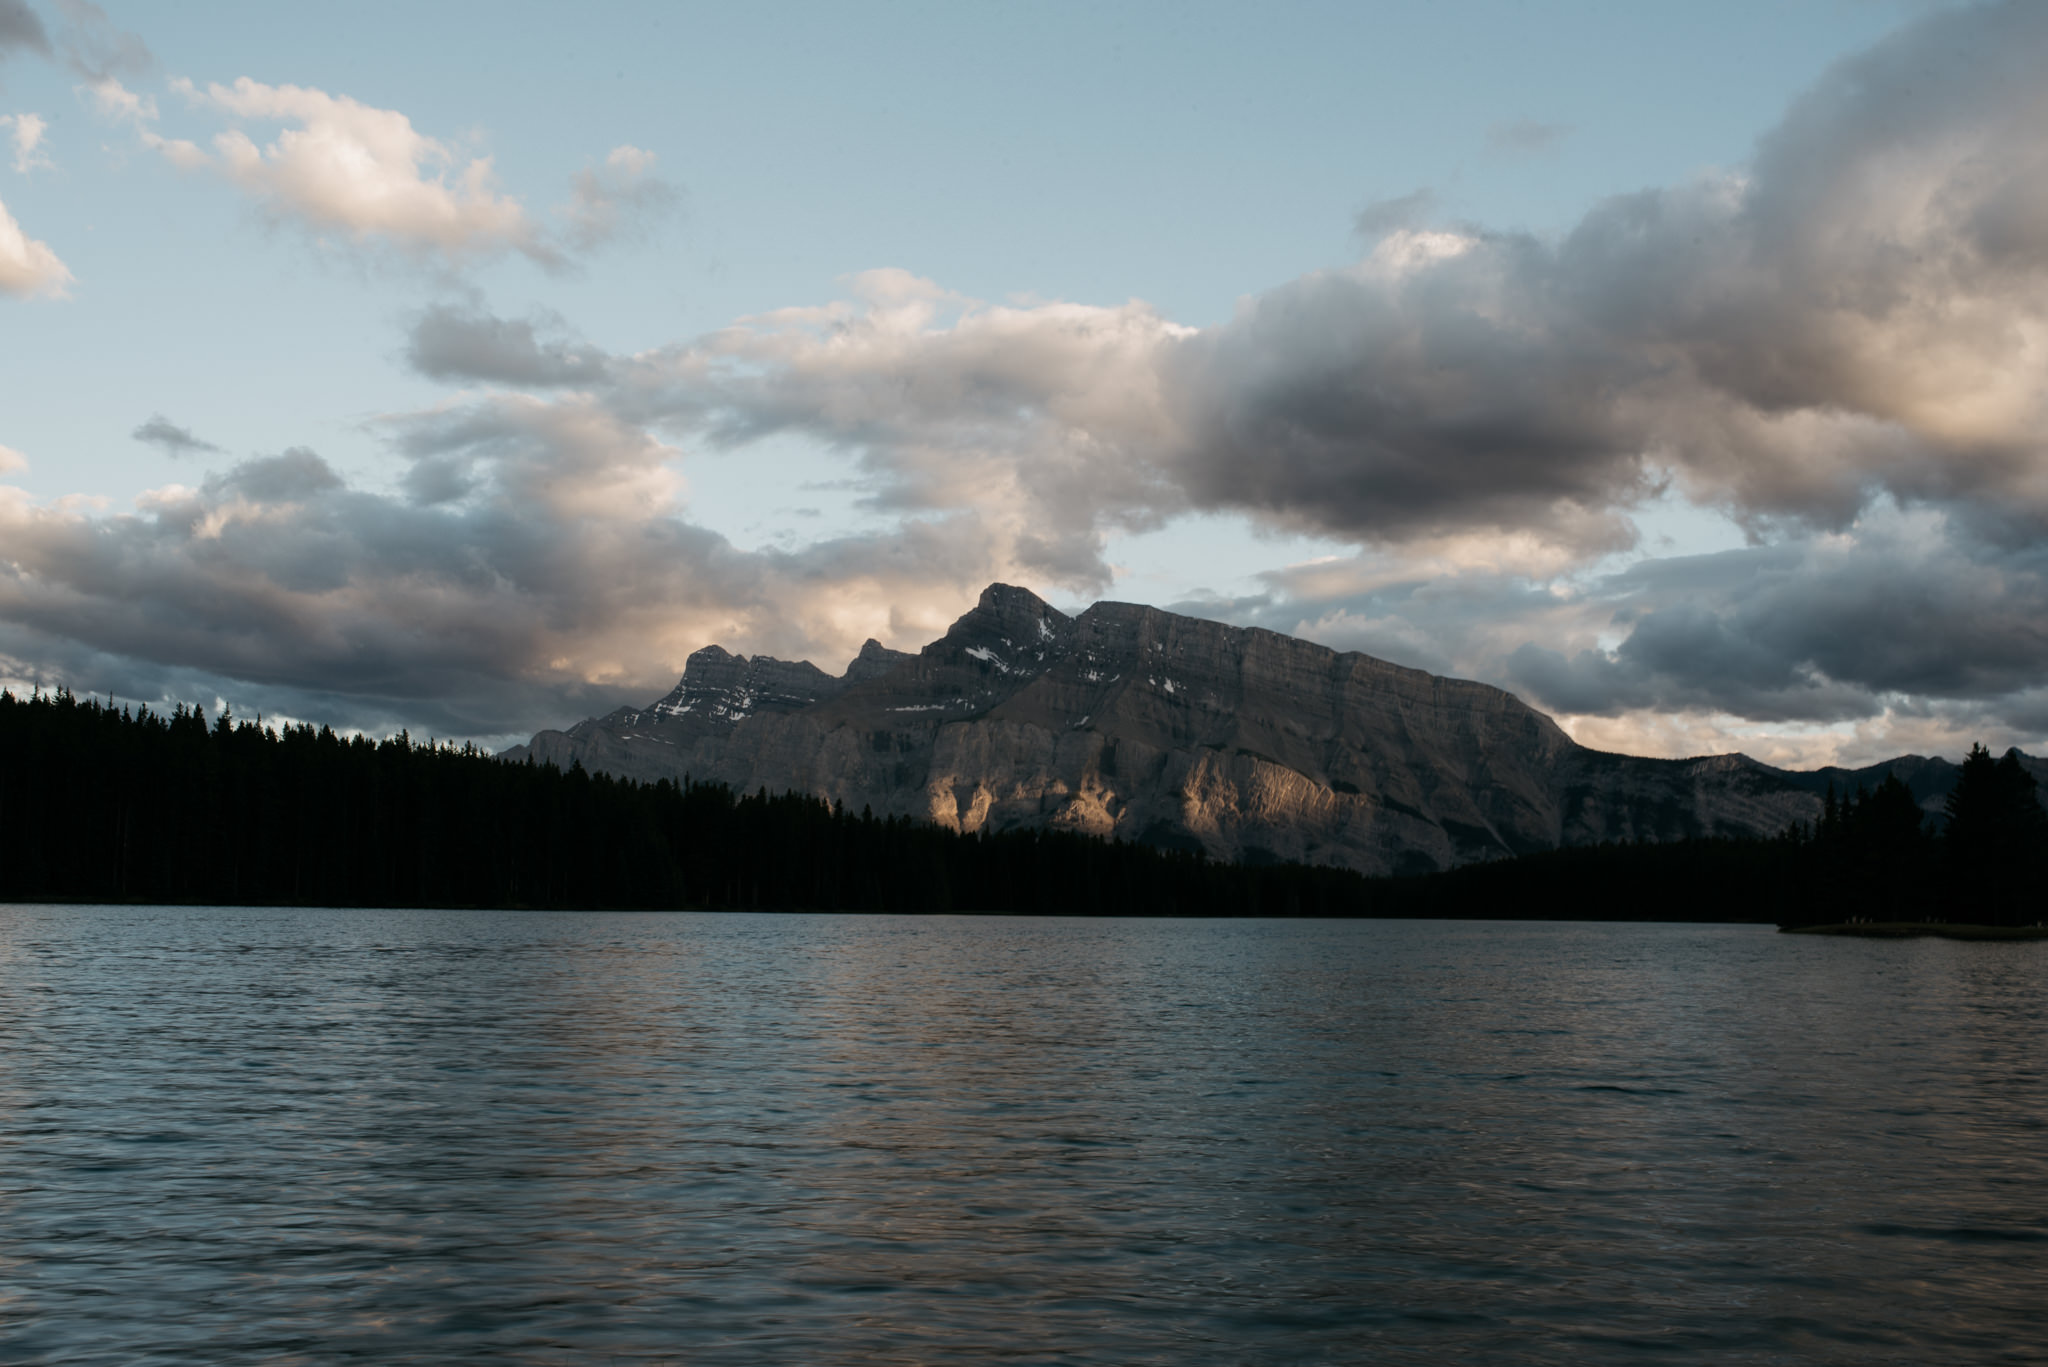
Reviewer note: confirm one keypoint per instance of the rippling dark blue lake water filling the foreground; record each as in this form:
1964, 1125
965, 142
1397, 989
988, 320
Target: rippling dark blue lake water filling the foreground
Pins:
234, 1136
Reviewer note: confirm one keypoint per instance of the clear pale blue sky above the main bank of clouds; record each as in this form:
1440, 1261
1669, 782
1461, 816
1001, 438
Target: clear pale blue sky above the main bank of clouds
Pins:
1179, 155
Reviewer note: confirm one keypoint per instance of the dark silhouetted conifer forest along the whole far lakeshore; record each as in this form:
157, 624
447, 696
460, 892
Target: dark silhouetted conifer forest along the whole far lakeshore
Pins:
110, 804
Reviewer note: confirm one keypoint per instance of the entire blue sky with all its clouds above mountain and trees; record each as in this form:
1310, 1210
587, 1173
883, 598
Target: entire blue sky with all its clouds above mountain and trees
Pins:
464, 368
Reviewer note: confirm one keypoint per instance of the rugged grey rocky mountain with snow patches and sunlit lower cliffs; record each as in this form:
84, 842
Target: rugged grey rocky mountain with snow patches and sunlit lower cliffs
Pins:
1187, 735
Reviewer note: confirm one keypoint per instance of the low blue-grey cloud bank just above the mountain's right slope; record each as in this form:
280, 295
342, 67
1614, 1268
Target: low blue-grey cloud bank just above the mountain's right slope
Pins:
1900, 634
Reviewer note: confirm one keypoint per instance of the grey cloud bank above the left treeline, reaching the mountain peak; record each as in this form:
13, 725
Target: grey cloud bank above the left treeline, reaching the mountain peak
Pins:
531, 567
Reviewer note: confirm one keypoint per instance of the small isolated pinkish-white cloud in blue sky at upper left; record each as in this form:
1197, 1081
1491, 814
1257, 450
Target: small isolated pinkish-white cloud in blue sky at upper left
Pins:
361, 173
